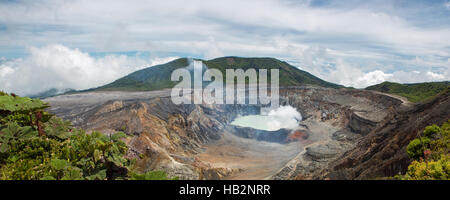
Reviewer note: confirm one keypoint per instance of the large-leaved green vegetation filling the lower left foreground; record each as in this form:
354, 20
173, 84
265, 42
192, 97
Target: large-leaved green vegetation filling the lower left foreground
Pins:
35, 145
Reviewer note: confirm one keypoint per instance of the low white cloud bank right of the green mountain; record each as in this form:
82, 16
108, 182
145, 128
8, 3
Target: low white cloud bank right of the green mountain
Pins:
341, 68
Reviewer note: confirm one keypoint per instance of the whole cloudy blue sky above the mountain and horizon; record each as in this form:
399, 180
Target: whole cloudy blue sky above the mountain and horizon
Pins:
81, 44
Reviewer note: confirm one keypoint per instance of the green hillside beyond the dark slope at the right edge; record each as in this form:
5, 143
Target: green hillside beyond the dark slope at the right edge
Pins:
415, 92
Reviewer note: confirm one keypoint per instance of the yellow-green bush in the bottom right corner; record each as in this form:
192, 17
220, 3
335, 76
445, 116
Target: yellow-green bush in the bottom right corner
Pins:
431, 155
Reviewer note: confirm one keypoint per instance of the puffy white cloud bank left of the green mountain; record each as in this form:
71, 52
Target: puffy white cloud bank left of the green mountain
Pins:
57, 66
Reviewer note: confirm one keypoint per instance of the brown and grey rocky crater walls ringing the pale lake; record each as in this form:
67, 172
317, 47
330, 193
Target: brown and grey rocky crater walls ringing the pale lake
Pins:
171, 136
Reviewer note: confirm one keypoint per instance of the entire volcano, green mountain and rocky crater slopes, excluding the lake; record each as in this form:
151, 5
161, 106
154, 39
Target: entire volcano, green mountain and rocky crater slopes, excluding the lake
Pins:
344, 133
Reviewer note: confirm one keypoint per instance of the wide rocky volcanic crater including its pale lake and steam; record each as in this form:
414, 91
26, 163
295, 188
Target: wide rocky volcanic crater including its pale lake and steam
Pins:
313, 126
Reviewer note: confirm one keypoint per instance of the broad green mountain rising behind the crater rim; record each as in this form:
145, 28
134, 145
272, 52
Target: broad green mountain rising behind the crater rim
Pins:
158, 77
